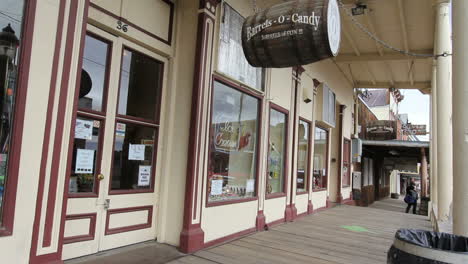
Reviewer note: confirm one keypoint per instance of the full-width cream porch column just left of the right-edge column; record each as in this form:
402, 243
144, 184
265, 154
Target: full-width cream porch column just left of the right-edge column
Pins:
444, 110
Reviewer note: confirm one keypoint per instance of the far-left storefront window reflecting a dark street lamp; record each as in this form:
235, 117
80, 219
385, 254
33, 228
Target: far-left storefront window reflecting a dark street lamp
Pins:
11, 25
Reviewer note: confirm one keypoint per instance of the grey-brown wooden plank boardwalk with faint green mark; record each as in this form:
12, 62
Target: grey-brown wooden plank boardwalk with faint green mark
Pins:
343, 234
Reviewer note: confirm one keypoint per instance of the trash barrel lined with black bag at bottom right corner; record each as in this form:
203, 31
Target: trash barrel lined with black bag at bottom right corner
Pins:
426, 247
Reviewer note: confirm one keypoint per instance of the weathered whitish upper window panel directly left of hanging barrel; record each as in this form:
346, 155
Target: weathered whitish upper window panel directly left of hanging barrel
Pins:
231, 58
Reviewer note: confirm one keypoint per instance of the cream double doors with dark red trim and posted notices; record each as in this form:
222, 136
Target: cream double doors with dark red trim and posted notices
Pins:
112, 195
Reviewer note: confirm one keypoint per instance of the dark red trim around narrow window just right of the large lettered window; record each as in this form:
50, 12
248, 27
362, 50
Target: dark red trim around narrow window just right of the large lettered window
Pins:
280, 109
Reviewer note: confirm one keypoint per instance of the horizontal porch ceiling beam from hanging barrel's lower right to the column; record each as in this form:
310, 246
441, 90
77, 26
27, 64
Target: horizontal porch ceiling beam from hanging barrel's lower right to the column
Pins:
393, 56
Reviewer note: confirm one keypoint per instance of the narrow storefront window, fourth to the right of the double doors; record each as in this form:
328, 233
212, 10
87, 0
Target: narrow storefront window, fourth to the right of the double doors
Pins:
320, 158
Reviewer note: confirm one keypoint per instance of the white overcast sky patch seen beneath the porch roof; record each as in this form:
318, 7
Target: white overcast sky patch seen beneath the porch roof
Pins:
417, 106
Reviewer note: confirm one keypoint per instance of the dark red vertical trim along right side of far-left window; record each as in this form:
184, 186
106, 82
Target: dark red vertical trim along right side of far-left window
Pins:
11, 186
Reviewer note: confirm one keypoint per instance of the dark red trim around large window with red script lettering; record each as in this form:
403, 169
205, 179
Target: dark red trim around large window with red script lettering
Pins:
235, 86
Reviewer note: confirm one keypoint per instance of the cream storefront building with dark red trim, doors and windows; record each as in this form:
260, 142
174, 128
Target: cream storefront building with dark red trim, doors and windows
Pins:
136, 121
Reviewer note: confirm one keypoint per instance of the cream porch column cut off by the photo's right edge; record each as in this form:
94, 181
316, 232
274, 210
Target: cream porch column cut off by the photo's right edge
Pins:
460, 118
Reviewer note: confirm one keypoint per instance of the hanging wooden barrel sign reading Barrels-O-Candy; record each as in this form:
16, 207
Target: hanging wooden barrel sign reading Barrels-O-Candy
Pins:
292, 33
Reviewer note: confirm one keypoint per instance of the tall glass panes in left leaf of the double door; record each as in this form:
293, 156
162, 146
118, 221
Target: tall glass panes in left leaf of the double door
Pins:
87, 141
